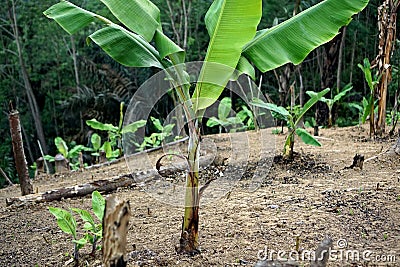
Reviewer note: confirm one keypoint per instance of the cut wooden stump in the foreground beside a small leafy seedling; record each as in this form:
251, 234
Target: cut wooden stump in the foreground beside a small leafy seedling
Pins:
115, 229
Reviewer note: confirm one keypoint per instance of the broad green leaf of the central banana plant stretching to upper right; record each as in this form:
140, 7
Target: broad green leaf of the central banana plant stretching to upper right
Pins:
294, 39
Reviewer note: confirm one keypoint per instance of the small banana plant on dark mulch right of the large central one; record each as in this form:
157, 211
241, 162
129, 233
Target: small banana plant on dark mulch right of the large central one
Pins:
293, 121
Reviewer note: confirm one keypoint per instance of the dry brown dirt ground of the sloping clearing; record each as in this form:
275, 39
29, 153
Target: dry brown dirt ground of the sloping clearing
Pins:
305, 200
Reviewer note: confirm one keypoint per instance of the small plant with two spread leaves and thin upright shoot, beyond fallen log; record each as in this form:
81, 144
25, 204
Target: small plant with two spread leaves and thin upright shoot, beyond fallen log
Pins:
115, 133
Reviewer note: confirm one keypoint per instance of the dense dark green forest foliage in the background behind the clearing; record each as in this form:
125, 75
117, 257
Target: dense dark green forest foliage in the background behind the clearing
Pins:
65, 103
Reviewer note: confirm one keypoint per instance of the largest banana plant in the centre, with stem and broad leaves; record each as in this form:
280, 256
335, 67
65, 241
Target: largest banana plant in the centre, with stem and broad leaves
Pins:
234, 44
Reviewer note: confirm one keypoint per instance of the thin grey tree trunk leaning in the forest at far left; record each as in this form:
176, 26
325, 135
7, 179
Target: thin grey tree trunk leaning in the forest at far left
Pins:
28, 87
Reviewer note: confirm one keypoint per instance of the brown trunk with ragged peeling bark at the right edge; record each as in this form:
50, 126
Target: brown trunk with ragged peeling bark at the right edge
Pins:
387, 16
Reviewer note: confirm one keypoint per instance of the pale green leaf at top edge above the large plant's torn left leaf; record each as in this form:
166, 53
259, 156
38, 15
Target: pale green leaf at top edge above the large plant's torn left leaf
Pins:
140, 16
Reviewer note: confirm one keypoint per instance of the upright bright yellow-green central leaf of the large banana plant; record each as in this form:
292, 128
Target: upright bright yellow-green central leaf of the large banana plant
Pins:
231, 24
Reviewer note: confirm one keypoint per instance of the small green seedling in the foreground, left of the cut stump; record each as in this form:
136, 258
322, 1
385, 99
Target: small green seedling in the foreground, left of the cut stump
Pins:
93, 231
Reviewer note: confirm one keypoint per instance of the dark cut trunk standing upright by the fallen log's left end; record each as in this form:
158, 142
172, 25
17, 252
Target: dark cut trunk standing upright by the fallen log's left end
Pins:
19, 154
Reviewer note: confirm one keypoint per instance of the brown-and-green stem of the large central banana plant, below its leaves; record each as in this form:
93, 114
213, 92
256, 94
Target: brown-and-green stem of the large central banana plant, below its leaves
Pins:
189, 241
